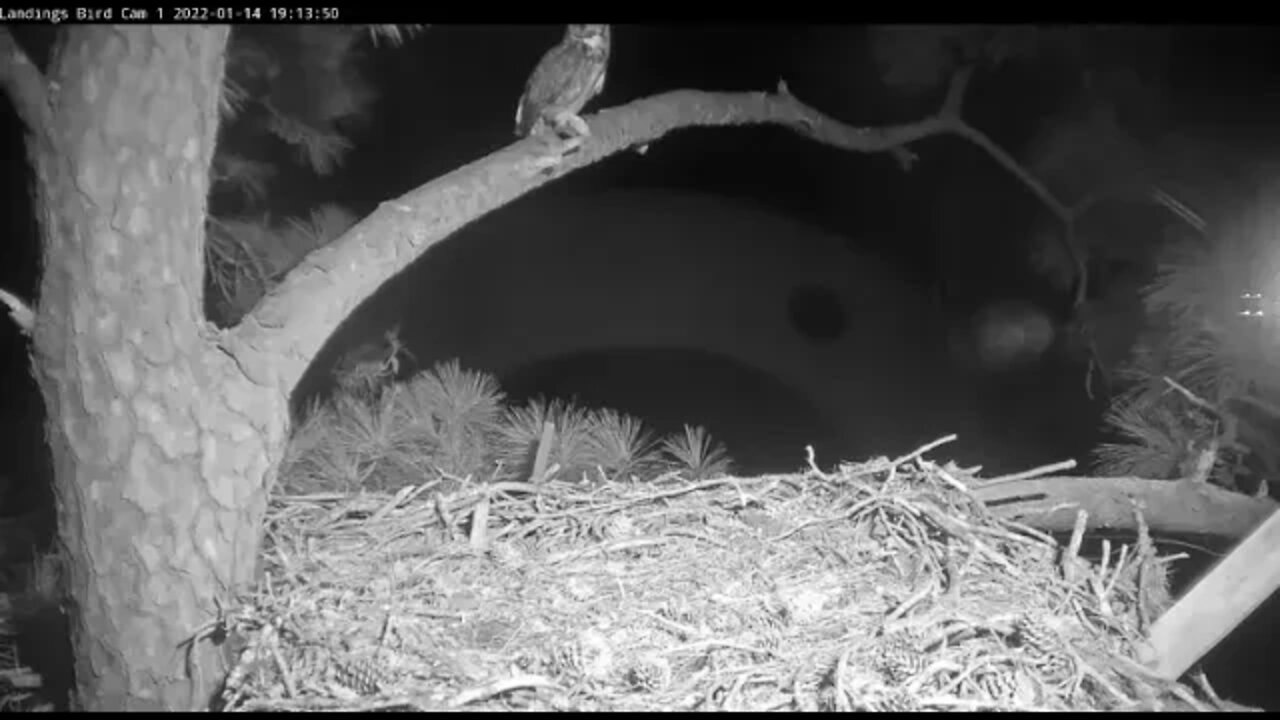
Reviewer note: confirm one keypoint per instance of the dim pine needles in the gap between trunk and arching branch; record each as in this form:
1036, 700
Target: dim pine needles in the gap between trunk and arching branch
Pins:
300, 86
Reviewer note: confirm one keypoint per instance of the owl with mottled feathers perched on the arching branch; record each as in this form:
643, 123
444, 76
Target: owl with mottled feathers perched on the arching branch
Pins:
565, 81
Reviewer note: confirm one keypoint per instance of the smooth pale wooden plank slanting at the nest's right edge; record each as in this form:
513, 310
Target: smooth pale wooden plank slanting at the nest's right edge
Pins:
1220, 601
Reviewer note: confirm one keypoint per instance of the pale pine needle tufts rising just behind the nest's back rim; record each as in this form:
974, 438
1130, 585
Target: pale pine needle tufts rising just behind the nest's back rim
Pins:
456, 425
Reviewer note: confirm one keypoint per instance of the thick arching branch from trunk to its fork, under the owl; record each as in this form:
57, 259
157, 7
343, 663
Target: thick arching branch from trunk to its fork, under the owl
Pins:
278, 339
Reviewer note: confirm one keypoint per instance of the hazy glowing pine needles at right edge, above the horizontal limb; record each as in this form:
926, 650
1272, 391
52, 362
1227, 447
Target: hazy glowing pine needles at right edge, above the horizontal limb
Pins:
1203, 389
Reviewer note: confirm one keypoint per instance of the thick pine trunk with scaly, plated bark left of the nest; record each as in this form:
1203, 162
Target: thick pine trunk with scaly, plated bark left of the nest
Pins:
163, 450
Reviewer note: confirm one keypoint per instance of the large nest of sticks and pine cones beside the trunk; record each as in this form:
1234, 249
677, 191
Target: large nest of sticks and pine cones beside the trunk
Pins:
883, 586
